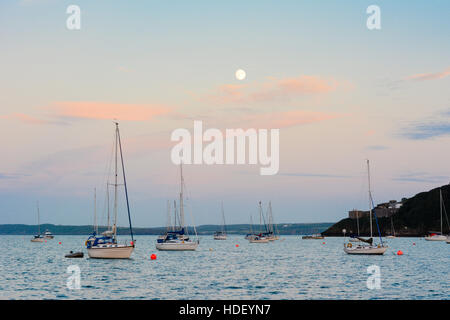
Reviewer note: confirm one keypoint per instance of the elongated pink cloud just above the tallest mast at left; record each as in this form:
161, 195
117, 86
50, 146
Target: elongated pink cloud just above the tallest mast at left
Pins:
107, 111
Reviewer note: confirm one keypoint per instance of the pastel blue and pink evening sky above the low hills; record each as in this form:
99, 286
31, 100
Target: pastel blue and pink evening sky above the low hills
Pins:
339, 93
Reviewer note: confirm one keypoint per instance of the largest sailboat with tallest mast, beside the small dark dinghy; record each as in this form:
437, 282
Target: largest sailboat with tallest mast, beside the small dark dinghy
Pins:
106, 246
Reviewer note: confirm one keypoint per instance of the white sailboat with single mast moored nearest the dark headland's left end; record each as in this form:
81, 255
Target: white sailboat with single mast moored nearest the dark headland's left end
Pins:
366, 246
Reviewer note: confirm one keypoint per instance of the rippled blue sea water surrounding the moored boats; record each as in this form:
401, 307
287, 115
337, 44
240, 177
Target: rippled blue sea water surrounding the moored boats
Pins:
290, 268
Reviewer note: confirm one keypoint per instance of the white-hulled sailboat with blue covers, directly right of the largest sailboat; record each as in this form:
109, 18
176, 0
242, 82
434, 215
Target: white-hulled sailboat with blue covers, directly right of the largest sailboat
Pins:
177, 239
